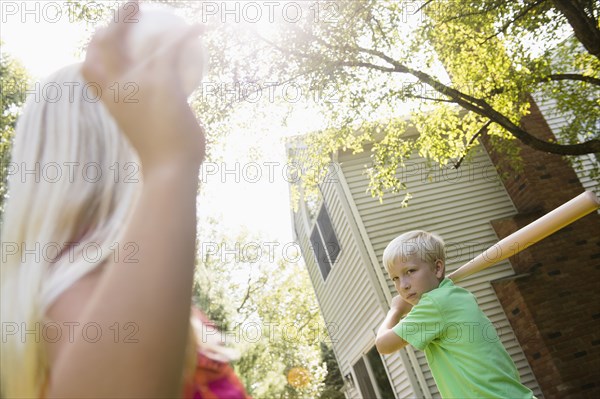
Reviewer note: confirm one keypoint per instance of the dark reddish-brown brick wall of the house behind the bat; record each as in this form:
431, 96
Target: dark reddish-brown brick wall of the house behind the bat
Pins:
553, 303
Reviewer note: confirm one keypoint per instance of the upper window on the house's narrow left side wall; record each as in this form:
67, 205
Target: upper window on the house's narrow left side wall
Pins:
324, 242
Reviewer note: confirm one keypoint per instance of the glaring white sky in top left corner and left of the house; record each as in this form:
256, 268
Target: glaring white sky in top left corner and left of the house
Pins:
237, 191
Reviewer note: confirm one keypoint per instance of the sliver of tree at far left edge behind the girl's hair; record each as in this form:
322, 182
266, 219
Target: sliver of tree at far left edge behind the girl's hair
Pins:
13, 82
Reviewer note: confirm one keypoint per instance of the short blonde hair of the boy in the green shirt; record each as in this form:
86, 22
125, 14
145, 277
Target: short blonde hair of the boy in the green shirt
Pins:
427, 246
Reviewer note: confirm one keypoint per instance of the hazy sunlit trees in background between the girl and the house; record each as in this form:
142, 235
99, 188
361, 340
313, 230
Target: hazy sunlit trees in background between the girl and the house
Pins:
266, 308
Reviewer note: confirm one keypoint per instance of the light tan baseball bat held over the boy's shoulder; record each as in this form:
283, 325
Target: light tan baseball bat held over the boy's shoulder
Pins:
526, 236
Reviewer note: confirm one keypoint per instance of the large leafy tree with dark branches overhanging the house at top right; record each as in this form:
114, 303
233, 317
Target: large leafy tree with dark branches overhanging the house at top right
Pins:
462, 69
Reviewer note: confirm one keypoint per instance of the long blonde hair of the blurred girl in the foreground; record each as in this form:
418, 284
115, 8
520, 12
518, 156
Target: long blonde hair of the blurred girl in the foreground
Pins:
68, 183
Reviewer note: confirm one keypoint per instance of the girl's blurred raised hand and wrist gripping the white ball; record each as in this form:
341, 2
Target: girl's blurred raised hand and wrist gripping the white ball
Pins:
145, 97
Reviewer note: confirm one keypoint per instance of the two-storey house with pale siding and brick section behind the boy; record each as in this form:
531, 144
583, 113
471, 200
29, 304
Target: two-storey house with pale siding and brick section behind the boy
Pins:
544, 302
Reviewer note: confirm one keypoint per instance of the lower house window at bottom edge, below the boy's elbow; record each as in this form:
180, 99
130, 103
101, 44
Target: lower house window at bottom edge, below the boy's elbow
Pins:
371, 376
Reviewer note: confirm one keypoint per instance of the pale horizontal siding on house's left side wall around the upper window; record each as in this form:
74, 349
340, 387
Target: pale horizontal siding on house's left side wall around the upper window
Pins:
348, 299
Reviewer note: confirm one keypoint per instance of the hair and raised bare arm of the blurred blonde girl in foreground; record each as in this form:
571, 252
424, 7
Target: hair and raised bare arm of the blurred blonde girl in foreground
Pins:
107, 315
